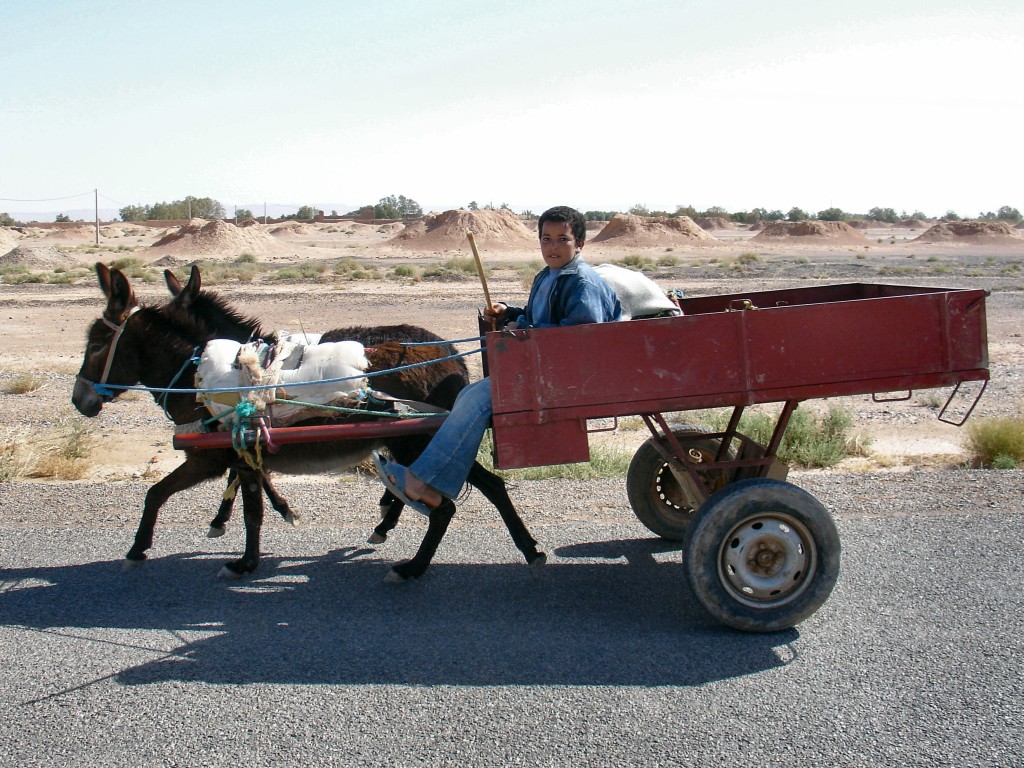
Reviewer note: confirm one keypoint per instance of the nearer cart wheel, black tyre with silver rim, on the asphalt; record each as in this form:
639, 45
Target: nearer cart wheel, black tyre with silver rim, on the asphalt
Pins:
763, 556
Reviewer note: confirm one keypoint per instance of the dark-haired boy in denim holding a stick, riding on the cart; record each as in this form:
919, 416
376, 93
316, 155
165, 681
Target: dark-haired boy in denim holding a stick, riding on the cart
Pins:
567, 292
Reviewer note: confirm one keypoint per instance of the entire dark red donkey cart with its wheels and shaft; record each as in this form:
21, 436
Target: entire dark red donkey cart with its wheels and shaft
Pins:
761, 553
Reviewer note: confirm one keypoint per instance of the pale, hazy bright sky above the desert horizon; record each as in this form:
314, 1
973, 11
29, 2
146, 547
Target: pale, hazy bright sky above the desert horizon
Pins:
916, 106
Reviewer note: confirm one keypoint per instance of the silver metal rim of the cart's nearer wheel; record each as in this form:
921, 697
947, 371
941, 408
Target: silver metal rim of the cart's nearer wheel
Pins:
767, 561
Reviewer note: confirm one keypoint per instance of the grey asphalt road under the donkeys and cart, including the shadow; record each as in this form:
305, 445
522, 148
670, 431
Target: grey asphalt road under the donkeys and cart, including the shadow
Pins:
608, 660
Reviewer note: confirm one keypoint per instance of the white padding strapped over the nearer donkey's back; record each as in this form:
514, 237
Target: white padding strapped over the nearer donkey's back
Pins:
230, 365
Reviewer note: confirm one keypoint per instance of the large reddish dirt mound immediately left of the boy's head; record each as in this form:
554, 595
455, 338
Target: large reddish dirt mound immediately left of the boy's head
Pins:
495, 231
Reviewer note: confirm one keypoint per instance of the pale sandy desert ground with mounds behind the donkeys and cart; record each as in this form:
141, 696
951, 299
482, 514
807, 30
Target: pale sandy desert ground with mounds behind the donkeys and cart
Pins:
46, 324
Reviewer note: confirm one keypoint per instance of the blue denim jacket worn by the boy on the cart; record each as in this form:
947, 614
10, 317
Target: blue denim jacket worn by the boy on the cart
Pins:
580, 295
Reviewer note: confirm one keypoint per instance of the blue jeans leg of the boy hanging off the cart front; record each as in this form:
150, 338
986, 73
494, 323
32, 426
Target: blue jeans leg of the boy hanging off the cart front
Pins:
447, 461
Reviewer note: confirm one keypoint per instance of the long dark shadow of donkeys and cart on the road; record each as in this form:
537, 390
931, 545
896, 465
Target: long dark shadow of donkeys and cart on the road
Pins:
624, 616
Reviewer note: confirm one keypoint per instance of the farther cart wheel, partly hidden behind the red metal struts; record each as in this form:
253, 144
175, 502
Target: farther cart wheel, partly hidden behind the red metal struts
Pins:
660, 502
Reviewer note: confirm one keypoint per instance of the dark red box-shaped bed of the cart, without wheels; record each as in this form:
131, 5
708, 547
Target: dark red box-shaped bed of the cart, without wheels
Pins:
797, 345
